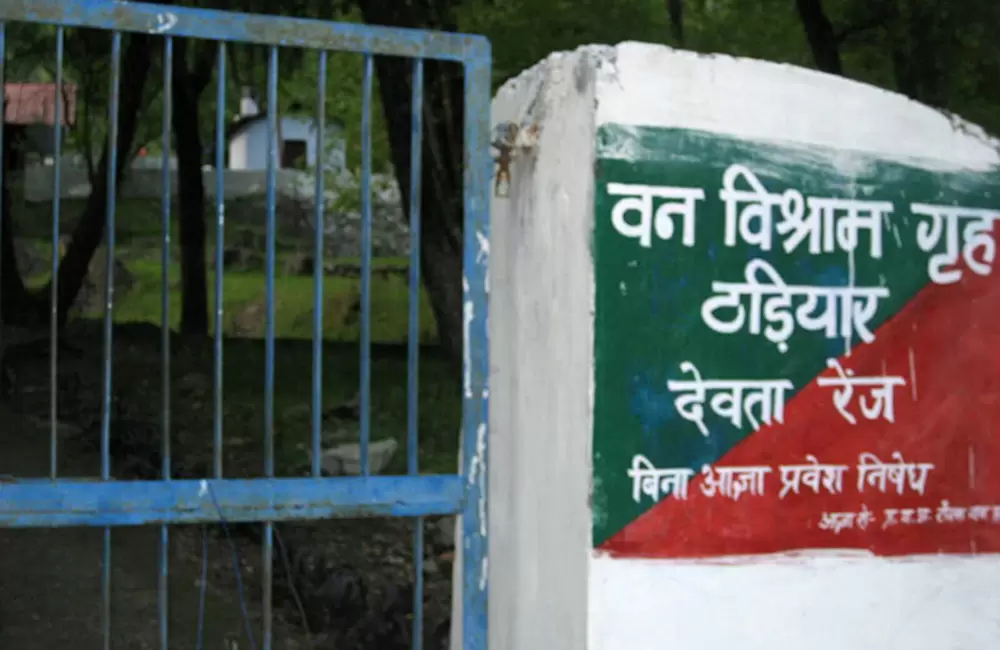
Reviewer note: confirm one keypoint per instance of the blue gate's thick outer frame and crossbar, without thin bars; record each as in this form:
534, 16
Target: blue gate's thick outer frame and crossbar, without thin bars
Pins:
33, 503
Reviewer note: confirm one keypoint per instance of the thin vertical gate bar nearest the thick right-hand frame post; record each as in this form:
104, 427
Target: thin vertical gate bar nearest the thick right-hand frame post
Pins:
413, 343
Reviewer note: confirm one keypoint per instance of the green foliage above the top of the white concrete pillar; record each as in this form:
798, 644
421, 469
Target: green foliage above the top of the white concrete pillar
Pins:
948, 47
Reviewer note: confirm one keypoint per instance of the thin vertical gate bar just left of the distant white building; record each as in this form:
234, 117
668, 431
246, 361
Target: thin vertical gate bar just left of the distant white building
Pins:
220, 236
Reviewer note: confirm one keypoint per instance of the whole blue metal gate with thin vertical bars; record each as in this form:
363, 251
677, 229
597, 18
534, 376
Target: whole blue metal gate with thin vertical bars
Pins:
57, 502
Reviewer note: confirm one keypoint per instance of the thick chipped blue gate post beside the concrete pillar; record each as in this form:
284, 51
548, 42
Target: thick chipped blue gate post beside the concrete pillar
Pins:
475, 407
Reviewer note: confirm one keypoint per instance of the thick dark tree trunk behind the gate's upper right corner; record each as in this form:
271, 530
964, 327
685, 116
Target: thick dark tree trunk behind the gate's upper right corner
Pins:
441, 207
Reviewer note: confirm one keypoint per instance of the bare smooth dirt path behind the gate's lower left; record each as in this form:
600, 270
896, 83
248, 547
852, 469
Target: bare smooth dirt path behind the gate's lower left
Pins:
50, 580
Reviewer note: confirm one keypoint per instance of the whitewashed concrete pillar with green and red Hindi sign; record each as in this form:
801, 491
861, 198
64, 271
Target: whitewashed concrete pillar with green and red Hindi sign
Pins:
594, 314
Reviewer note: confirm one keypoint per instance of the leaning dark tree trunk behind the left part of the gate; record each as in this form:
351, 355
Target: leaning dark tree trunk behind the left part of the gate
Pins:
90, 228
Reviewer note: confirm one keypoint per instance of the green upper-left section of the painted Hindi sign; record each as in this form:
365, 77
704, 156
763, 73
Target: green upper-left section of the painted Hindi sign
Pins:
846, 230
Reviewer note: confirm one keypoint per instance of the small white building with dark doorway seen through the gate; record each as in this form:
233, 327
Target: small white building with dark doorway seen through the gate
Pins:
297, 138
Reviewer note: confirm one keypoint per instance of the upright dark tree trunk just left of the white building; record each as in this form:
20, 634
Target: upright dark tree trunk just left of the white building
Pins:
189, 81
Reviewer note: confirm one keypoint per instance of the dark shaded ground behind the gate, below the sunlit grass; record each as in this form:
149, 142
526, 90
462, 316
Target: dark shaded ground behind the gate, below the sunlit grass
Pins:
340, 584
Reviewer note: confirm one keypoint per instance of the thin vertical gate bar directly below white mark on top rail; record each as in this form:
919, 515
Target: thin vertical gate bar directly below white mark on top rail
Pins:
167, 188
